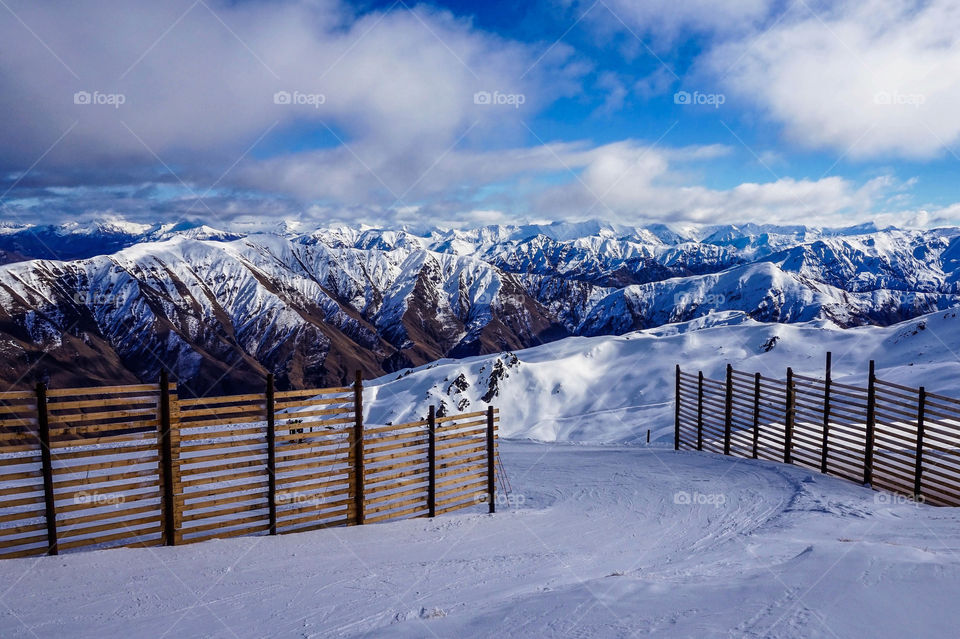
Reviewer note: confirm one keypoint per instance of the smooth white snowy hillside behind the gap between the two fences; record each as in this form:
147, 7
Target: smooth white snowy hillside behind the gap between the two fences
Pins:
612, 389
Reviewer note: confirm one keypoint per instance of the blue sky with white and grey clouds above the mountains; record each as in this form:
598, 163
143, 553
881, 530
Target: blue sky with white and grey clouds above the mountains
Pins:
829, 113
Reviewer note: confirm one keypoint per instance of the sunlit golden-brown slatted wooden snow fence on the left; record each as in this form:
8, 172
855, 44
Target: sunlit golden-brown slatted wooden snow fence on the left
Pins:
137, 466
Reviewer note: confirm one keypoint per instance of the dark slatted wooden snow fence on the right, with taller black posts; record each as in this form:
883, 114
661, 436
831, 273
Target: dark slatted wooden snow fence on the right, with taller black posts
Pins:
889, 436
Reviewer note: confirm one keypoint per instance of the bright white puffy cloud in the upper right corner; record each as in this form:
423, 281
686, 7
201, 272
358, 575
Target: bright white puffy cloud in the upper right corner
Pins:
867, 79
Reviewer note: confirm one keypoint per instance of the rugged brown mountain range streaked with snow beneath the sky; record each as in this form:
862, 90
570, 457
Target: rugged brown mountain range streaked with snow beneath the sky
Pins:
114, 302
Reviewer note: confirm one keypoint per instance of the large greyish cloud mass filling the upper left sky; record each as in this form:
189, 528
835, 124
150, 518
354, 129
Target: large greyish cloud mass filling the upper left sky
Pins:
200, 78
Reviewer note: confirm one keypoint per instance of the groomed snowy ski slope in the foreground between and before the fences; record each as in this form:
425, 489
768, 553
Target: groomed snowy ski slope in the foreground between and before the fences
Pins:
599, 548
